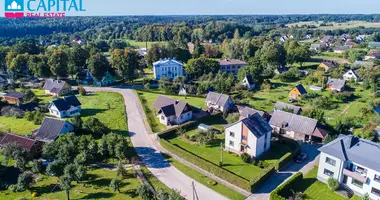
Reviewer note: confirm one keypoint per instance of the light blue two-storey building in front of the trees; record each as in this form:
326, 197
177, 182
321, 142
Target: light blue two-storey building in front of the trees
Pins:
168, 68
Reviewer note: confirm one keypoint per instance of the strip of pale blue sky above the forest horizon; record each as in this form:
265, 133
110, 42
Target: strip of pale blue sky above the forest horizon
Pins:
212, 7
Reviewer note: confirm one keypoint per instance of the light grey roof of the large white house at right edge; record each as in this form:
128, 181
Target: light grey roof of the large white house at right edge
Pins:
355, 149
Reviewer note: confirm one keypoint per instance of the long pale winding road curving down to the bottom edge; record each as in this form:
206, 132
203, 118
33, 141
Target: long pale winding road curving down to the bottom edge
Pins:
150, 156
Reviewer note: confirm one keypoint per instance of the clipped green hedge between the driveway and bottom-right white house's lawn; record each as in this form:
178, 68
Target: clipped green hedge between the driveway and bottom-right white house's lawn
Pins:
284, 191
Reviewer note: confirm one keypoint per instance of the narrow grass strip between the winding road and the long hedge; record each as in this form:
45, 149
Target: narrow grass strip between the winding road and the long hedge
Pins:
221, 189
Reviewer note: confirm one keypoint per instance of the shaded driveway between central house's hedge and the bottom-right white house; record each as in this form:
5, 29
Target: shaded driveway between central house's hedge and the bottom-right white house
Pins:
278, 178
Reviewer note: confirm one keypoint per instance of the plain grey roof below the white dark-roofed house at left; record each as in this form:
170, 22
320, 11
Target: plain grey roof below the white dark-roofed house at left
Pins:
50, 129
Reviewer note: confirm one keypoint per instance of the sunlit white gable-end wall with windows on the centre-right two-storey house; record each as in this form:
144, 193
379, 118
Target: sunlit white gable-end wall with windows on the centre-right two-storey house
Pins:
236, 147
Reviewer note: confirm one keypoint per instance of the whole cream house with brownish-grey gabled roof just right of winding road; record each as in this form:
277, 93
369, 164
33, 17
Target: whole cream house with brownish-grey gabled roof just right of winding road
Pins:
172, 111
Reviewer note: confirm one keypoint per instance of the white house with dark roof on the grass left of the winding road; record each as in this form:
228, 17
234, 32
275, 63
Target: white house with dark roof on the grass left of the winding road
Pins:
66, 107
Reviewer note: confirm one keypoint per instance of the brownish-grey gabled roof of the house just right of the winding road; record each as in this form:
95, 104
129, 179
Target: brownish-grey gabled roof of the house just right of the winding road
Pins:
170, 106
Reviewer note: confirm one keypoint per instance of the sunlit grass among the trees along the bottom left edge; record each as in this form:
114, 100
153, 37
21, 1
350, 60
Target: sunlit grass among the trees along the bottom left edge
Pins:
95, 188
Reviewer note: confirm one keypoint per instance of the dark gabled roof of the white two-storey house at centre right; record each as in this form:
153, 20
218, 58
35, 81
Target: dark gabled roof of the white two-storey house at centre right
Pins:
256, 124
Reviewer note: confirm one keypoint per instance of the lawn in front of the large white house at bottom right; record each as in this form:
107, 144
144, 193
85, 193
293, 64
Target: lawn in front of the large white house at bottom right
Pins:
317, 190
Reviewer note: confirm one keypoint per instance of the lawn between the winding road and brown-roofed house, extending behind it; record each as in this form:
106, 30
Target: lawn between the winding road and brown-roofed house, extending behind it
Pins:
148, 97
